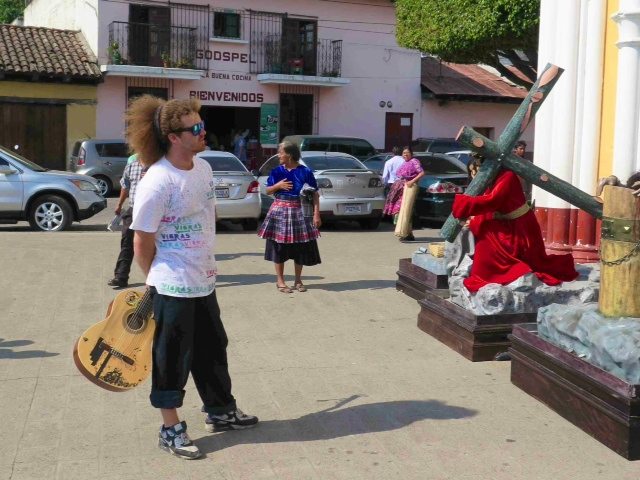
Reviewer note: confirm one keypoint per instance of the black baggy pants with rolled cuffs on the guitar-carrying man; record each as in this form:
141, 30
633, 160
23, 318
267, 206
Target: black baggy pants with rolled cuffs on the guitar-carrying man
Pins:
190, 338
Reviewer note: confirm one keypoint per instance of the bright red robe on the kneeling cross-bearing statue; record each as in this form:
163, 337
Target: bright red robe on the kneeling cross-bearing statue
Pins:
508, 249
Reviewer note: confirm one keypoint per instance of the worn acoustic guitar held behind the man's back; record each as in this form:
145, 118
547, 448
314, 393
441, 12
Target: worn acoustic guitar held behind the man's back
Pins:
115, 353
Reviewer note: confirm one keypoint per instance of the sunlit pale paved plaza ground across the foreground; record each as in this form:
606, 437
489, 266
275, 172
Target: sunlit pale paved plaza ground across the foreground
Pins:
344, 383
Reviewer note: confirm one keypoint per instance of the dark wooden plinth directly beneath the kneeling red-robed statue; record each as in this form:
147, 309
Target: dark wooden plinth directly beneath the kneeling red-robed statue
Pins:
475, 337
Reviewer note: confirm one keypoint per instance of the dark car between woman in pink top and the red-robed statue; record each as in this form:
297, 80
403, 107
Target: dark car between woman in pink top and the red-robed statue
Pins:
444, 177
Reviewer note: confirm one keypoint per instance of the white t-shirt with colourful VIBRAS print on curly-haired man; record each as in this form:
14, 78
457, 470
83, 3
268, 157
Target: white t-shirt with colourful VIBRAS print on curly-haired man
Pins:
179, 207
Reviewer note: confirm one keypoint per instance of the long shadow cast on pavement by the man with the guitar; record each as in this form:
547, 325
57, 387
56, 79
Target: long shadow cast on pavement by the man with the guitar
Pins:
334, 423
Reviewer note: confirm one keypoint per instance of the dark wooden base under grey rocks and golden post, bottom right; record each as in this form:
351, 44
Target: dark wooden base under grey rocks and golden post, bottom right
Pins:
603, 405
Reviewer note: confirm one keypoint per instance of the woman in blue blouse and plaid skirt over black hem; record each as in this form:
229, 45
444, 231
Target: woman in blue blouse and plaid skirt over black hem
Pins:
289, 234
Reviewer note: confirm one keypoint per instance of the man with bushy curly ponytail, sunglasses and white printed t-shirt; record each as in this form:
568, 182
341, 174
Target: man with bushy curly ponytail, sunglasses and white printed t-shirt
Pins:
174, 223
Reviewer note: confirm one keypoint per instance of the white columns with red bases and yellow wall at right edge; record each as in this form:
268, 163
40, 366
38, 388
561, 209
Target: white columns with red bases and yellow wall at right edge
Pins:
590, 126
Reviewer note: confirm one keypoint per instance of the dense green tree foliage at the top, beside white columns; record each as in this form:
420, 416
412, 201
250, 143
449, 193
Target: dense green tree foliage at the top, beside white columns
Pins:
468, 31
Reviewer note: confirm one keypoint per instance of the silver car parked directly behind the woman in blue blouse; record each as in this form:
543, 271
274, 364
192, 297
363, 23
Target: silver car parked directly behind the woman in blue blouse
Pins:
348, 190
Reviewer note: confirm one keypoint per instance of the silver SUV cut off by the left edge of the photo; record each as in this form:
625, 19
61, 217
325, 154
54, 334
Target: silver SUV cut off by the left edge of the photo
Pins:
49, 200
